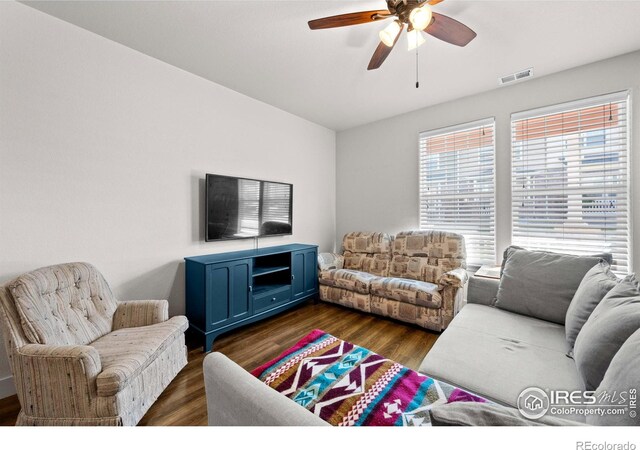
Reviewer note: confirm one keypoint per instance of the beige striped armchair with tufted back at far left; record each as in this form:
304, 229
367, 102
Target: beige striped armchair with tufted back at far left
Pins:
81, 357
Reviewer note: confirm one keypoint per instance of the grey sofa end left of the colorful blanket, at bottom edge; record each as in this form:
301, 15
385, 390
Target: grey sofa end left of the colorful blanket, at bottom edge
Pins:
235, 397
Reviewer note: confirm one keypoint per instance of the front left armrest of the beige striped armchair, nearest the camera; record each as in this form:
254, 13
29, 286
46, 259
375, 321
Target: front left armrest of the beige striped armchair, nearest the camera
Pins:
57, 381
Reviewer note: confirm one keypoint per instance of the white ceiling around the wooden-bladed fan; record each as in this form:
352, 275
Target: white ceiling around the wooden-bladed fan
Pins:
264, 49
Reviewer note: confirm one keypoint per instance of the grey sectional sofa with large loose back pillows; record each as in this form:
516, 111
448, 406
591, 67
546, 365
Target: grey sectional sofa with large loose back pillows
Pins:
510, 336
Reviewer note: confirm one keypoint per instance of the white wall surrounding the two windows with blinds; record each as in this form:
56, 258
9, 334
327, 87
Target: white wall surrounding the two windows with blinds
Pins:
377, 163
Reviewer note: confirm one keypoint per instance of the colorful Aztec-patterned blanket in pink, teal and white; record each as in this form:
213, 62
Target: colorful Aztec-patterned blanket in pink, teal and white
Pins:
348, 385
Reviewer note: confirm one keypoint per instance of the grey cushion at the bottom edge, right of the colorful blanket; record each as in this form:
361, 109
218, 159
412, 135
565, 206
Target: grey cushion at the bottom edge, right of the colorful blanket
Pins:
486, 414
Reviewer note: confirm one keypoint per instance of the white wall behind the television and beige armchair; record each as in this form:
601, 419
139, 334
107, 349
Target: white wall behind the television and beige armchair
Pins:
103, 151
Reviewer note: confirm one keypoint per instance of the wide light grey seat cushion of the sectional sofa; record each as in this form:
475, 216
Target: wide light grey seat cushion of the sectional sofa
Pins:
497, 354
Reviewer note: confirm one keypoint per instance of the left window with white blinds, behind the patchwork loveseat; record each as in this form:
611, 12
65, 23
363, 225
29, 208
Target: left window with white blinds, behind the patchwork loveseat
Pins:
457, 186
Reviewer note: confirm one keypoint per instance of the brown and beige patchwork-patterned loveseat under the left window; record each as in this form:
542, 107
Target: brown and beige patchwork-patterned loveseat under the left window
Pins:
414, 277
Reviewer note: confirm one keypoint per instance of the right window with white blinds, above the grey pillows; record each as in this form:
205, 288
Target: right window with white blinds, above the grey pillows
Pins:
570, 180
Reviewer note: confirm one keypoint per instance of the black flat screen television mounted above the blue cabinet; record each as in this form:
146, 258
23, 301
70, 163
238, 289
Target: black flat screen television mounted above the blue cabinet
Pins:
239, 208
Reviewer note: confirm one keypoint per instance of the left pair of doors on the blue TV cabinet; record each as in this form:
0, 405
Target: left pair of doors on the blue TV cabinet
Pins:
228, 298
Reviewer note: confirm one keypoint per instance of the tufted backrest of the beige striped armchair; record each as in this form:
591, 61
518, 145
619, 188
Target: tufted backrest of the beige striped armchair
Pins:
67, 304
